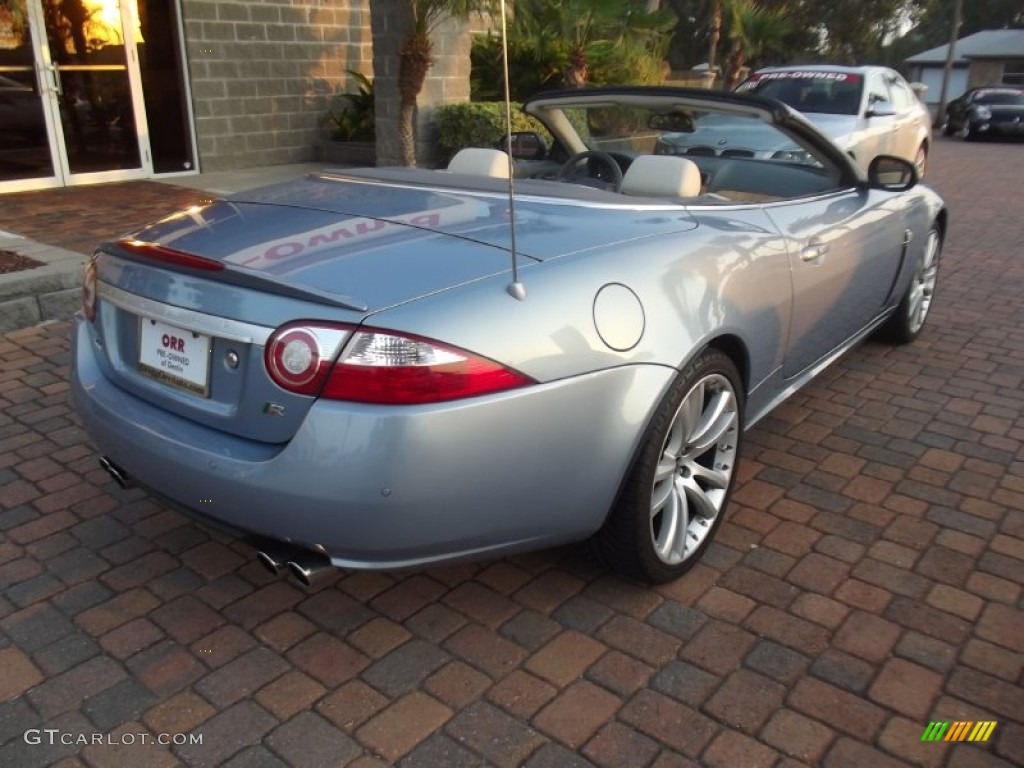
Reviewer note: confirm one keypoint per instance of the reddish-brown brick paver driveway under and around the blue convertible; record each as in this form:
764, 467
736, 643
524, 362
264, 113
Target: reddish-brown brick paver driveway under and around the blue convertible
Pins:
867, 583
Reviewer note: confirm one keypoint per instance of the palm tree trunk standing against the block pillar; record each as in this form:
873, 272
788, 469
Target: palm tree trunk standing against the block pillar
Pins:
416, 57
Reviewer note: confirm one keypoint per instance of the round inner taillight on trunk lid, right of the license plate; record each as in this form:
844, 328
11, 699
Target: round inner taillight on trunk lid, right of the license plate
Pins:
298, 356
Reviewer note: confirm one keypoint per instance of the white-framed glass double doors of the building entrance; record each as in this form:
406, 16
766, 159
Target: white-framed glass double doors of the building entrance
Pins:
79, 106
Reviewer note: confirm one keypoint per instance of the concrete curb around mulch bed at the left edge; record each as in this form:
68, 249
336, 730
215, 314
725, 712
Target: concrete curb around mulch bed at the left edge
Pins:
45, 293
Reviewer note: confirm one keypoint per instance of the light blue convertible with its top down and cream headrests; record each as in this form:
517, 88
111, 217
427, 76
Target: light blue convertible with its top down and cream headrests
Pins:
379, 368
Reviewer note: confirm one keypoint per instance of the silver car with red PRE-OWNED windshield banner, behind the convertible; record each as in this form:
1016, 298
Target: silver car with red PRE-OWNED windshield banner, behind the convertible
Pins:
868, 111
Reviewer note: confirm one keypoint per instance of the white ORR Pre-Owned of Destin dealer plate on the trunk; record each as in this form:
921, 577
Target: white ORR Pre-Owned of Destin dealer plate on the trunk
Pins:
175, 357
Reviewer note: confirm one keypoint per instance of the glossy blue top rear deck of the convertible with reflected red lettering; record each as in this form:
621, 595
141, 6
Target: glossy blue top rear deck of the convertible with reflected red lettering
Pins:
381, 243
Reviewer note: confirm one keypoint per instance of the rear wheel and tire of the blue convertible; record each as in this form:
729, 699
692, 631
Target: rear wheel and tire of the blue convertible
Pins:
675, 497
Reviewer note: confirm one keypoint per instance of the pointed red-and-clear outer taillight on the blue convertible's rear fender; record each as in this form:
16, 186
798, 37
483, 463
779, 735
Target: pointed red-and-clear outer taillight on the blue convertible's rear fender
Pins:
395, 369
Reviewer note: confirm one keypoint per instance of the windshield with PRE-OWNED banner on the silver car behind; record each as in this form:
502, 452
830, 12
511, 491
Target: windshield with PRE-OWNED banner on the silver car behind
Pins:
824, 93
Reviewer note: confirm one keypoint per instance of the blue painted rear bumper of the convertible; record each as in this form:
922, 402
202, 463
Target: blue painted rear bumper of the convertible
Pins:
379, 487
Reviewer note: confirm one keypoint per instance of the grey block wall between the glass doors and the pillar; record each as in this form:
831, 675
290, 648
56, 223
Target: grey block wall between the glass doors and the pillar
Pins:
264, 73
